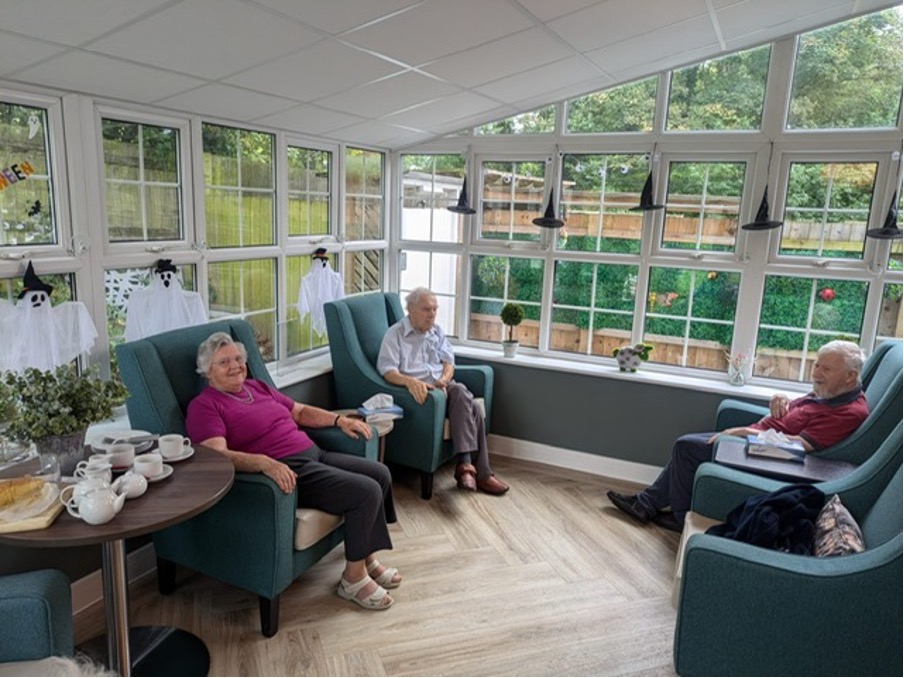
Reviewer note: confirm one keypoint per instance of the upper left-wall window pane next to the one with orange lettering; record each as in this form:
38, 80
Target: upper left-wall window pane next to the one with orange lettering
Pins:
143, 187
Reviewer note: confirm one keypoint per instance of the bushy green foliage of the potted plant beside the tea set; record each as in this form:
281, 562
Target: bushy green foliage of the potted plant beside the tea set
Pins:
58, 402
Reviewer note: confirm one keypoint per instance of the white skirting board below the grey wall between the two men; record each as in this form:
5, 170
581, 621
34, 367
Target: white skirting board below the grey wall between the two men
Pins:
576, 461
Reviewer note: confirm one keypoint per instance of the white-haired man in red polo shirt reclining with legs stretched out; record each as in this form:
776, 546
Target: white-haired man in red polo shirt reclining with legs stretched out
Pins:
828, 414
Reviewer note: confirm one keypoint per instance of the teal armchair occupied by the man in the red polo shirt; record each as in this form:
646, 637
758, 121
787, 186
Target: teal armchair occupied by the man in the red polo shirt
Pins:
882, 385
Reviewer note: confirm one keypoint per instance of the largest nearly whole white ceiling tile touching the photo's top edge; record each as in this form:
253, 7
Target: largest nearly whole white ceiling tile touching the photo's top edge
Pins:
207, 38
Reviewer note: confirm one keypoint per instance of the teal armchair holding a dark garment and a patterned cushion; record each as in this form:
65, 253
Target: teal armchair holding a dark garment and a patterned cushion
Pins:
745, 610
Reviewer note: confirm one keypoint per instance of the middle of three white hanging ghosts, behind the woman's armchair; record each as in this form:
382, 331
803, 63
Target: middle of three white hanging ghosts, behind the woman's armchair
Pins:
163, 305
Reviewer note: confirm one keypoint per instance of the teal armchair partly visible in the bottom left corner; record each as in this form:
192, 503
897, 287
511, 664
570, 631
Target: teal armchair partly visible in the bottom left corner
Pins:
36, 609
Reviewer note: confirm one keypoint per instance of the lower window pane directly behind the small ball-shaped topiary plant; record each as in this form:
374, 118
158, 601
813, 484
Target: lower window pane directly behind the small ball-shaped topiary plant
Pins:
496, 280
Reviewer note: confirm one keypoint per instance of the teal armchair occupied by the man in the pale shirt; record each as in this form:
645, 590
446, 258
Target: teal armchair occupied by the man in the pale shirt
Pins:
356, 326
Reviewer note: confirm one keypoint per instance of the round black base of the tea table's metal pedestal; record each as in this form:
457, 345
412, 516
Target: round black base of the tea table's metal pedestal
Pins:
158, 651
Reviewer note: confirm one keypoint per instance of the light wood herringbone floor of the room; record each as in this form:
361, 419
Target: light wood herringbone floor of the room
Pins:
549, 580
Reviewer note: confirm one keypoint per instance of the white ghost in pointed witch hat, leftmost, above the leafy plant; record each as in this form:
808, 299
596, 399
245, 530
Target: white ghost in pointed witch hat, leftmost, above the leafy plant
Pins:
38, 334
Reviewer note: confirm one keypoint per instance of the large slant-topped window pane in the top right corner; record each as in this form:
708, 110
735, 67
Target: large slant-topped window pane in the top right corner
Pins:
849, 75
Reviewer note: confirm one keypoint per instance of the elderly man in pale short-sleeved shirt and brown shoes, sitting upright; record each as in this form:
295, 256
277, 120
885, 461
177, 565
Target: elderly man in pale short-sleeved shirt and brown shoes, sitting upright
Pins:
416, 354
